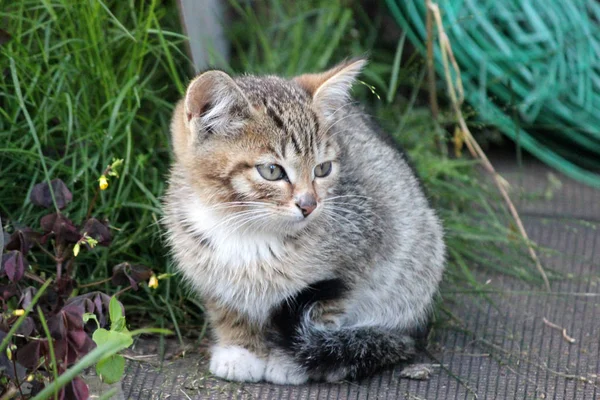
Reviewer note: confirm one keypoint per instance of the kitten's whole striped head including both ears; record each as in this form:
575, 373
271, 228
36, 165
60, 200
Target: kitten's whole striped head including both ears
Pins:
258, 151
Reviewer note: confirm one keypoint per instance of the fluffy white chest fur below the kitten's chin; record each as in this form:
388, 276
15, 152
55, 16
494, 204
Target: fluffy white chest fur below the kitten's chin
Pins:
248, 271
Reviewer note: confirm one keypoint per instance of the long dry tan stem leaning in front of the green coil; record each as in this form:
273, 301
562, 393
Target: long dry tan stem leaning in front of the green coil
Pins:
472, 144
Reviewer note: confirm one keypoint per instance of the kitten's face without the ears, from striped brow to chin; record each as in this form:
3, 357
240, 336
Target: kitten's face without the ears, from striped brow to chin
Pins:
271, 177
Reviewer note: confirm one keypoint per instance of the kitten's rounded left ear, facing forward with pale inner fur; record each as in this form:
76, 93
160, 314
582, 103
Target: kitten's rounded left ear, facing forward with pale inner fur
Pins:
214, 103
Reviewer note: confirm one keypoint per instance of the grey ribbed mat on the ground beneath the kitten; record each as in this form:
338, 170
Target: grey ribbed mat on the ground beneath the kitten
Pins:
501, 349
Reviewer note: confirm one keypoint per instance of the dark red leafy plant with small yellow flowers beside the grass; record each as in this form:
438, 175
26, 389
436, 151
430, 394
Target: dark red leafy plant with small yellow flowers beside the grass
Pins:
27, 365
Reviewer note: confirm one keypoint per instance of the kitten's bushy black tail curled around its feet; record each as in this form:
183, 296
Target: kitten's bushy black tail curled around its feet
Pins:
347, 352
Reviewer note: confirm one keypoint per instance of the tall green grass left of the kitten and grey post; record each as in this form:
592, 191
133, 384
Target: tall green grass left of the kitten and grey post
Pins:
84, 82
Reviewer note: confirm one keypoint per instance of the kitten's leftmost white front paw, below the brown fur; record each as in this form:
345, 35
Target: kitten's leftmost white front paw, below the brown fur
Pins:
235, 363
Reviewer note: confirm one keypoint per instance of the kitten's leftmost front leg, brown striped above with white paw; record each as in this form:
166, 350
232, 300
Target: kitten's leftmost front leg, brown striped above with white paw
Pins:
239, 353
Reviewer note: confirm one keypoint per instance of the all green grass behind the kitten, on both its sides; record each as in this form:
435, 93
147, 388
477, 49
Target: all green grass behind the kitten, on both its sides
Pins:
83, 82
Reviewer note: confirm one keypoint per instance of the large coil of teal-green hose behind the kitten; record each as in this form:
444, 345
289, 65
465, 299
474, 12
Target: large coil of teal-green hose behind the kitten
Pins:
529, 67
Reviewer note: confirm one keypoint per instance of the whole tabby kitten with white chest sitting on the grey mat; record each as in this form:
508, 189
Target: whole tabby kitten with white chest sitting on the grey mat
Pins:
302, 227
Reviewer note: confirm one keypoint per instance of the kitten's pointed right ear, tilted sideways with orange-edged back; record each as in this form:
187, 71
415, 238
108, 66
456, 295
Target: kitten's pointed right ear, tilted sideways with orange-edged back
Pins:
330, 90
